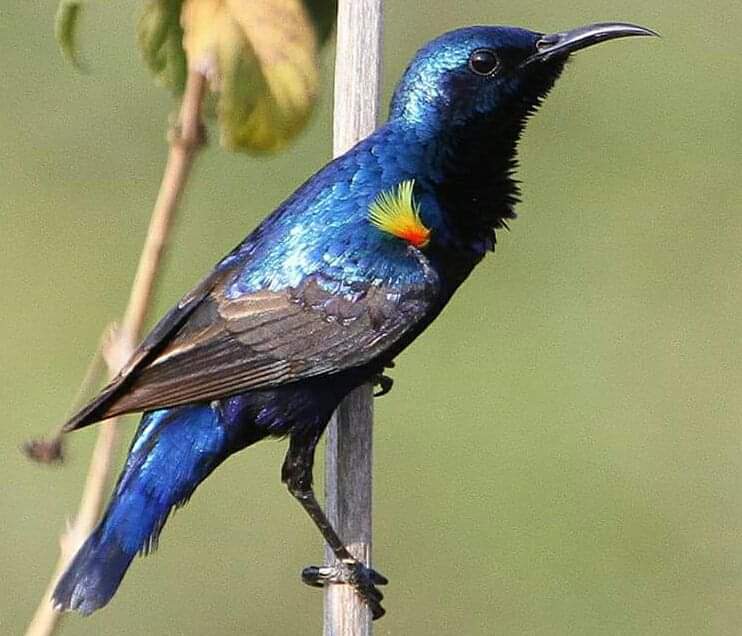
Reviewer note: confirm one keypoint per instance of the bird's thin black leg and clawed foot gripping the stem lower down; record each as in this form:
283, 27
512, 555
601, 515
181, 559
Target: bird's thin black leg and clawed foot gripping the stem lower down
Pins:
296, 473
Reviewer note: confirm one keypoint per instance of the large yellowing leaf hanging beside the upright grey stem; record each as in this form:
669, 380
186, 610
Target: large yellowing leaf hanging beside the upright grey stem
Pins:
261, 58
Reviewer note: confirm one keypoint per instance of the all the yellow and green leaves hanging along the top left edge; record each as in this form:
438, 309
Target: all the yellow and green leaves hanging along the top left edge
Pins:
260, 57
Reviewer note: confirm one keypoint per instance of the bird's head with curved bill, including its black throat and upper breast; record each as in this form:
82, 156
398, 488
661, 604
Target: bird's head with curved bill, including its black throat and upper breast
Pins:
465, 98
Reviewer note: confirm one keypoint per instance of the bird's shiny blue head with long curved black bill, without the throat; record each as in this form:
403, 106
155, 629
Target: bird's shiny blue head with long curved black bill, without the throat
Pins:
497, 75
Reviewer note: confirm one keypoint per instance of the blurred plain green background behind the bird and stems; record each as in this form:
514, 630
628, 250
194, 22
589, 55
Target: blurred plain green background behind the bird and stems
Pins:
561, 453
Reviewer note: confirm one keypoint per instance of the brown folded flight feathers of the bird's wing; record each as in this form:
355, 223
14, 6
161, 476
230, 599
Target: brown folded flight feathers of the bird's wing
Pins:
212, 345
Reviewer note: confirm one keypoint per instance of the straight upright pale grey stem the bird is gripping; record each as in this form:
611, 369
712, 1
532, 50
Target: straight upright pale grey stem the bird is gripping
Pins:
349, 437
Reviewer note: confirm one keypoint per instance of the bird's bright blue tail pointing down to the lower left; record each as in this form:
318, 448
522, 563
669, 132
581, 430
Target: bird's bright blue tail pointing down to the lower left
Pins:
172, 452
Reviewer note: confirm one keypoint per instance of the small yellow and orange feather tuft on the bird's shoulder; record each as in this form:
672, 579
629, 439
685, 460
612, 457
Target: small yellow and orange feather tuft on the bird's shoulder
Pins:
395, 212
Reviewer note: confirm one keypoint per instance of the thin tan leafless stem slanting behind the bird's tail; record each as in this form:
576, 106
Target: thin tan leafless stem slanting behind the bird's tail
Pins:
185, 140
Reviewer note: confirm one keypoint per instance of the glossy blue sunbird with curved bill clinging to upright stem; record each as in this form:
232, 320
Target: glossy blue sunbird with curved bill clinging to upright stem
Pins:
324, 294
